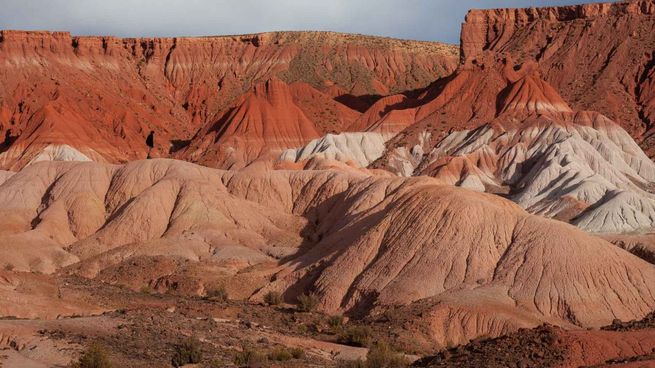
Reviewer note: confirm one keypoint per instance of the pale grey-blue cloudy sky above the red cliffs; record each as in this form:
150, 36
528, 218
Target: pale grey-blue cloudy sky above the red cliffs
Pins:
431, 20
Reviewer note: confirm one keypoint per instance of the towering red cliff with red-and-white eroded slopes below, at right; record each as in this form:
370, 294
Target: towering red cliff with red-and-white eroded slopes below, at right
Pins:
505, 122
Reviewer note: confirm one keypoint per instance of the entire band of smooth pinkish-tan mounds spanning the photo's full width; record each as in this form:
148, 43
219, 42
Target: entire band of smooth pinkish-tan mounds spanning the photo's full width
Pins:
363, 244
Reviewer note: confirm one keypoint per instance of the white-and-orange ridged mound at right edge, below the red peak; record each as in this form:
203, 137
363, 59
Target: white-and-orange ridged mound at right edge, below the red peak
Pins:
580, 168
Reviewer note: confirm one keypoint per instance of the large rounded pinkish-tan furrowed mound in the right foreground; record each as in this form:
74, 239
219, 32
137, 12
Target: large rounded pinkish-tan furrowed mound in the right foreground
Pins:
500, 273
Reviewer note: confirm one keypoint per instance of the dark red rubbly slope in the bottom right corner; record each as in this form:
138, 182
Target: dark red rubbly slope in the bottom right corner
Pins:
621, 344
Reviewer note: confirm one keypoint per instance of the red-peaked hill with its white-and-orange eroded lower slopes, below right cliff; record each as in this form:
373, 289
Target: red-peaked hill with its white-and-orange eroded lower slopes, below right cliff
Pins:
529, 145
